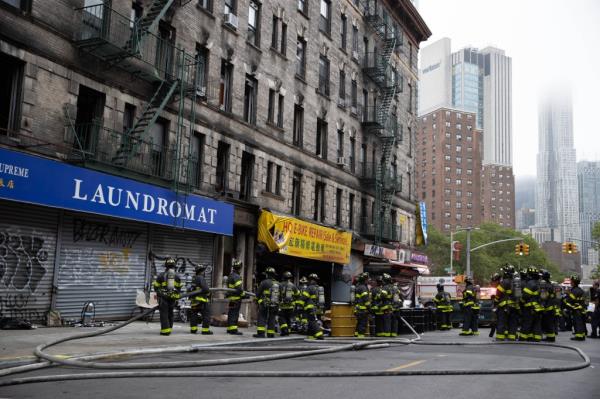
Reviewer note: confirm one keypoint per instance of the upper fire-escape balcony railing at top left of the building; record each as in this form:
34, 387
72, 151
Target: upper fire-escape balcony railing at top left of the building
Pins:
120, 41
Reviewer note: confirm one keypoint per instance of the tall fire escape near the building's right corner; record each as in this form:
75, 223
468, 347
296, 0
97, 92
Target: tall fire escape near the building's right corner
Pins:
376, 118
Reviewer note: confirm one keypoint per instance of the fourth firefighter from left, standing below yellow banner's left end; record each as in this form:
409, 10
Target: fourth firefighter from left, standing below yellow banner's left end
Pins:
267, 297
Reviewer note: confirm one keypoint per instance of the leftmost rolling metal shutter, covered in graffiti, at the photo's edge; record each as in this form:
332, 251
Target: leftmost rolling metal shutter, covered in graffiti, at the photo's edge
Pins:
27, 252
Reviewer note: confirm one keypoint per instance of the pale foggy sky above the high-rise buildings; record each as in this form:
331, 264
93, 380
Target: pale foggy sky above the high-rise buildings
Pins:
550, 42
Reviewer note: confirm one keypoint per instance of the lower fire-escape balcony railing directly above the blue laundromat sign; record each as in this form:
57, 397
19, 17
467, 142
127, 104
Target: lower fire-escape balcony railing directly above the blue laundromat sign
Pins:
92, 143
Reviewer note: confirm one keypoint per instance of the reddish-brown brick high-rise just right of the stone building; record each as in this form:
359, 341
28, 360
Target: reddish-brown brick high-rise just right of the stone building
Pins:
448, 157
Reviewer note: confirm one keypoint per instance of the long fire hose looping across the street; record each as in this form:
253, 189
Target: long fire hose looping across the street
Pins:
296, 351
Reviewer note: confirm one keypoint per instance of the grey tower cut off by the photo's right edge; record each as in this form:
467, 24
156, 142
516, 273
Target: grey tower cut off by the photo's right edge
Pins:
588, 182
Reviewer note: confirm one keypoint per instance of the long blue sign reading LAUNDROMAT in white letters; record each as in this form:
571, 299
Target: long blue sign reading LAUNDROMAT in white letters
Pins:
36, 180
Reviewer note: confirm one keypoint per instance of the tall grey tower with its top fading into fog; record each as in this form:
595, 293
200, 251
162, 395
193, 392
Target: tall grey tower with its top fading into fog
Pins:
557, 207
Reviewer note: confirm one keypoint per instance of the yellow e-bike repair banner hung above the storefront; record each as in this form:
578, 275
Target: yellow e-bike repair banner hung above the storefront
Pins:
294, 237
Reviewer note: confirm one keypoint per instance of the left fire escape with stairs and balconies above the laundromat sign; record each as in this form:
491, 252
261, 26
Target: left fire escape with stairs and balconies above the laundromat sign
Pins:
140, 47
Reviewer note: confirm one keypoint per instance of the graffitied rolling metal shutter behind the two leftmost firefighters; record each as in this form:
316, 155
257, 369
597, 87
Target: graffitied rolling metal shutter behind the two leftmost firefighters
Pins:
184, 244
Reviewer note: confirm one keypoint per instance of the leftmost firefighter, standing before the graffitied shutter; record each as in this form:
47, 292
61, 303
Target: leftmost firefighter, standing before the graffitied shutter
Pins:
168, 289
